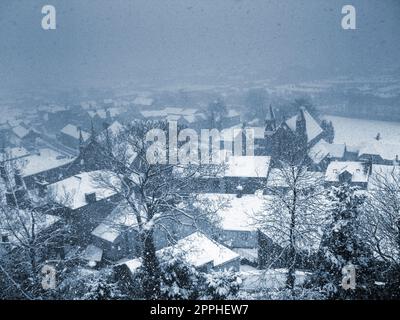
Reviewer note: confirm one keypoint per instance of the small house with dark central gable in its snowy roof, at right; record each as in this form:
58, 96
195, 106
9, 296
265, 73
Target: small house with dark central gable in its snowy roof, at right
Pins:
350, 172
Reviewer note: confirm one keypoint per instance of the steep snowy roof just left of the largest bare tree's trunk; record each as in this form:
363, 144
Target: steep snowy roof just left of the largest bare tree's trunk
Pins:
119, 220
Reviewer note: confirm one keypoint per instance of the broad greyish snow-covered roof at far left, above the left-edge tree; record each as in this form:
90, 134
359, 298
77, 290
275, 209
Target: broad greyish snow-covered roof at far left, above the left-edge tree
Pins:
43, 160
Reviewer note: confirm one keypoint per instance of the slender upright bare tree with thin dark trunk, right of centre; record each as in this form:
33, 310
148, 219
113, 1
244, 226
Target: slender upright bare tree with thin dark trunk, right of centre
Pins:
293, 216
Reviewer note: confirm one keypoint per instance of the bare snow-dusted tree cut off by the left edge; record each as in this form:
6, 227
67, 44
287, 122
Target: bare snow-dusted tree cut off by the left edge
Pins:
30, 236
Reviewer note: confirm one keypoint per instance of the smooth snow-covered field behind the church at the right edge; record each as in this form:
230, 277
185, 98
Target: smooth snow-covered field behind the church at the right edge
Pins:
356, 132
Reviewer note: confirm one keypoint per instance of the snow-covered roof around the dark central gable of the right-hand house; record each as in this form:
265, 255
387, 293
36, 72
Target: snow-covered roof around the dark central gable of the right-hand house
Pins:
356, 169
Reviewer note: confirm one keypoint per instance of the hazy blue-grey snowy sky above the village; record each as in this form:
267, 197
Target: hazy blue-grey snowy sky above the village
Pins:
104, 42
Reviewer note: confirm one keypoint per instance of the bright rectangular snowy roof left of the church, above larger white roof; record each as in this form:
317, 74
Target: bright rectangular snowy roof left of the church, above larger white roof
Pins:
248, 166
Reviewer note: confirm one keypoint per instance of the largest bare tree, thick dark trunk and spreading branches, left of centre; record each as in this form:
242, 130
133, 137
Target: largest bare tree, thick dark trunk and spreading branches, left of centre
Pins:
158, 194
